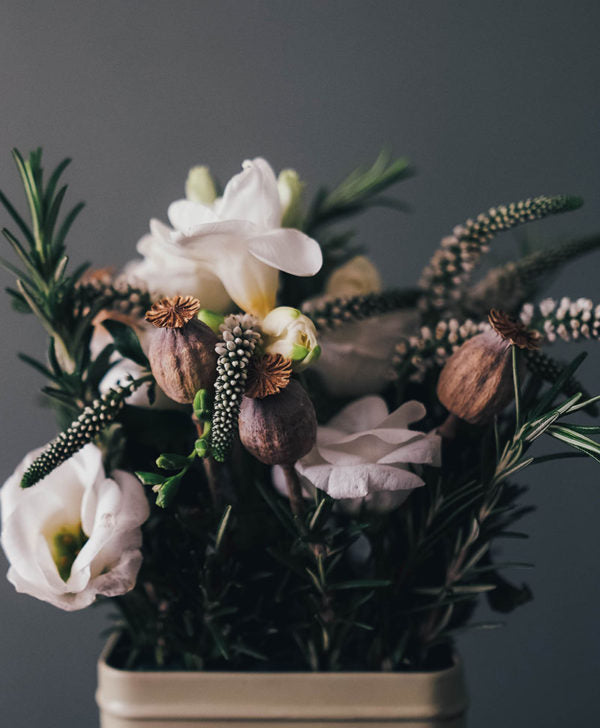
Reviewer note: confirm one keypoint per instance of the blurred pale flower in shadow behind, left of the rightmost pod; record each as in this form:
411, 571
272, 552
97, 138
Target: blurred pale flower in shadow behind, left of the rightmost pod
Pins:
356, 358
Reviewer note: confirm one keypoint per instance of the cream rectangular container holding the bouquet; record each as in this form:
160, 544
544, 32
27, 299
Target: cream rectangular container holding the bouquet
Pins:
280, 700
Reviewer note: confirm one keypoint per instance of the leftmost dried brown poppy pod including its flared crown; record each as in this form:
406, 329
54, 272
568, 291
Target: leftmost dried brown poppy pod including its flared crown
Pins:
182, 351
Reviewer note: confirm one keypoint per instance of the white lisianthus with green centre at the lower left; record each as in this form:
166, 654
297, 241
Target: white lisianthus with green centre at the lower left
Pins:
74, 535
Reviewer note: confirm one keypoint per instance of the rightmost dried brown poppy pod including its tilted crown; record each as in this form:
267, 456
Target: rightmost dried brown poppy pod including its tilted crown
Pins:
477, 381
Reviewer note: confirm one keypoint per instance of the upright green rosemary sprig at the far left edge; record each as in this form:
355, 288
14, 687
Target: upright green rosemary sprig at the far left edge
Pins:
64, 306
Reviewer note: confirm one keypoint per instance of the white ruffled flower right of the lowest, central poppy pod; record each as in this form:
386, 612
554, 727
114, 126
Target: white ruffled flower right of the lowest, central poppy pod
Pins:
365, 451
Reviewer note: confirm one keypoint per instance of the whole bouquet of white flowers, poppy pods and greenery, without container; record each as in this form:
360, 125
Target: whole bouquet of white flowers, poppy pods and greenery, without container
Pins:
266, 461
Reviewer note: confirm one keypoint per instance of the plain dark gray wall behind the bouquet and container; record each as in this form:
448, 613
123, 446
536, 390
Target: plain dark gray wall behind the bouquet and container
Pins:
492, 101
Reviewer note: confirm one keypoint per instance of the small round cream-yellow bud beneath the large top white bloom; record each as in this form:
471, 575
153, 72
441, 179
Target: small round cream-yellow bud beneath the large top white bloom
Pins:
289, 332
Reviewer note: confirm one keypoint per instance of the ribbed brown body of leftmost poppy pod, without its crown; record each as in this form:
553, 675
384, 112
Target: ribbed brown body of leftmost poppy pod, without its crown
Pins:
184, 360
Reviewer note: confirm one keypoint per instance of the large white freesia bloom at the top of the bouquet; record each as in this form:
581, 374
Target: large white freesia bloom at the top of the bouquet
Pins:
232, 249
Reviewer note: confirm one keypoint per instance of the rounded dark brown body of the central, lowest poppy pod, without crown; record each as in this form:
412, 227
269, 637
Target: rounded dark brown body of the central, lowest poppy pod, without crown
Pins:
281, 428
